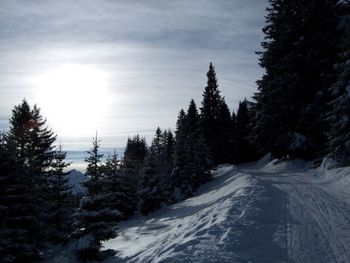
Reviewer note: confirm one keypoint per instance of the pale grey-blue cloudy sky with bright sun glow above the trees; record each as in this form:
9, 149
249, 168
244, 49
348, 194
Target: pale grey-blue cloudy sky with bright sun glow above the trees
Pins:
124, 67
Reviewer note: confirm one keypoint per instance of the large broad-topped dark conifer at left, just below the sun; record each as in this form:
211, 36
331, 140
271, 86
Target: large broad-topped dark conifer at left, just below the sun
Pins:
29, 155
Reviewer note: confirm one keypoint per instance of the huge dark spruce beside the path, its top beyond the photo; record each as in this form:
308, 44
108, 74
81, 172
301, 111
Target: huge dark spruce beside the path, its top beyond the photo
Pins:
300, 48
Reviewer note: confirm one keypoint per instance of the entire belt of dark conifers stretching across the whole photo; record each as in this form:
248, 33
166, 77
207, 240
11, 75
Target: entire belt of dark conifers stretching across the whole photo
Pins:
301, 110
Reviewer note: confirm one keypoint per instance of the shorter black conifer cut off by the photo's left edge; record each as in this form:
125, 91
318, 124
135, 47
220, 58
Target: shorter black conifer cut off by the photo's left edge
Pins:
17, 220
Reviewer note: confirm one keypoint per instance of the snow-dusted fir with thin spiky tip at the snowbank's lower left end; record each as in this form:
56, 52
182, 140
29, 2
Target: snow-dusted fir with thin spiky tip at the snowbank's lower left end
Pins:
94, 220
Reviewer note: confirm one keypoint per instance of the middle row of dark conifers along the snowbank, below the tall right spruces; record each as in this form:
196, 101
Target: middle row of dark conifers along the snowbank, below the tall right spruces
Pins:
168, 171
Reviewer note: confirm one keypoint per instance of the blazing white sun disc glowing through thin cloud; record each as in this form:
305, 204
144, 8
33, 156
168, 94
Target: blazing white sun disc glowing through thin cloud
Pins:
73, 98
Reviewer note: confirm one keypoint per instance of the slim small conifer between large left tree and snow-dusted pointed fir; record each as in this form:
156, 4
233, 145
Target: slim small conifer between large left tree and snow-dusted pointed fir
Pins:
61, 202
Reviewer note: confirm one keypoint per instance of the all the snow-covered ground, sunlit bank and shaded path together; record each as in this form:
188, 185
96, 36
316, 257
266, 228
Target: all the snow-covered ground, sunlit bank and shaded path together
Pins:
261, 212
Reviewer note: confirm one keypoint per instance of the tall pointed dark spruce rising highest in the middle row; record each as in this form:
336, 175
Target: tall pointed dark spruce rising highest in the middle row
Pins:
214, 120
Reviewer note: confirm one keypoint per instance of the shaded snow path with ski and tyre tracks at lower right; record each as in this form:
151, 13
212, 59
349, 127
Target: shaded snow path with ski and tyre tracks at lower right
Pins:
317, 217
